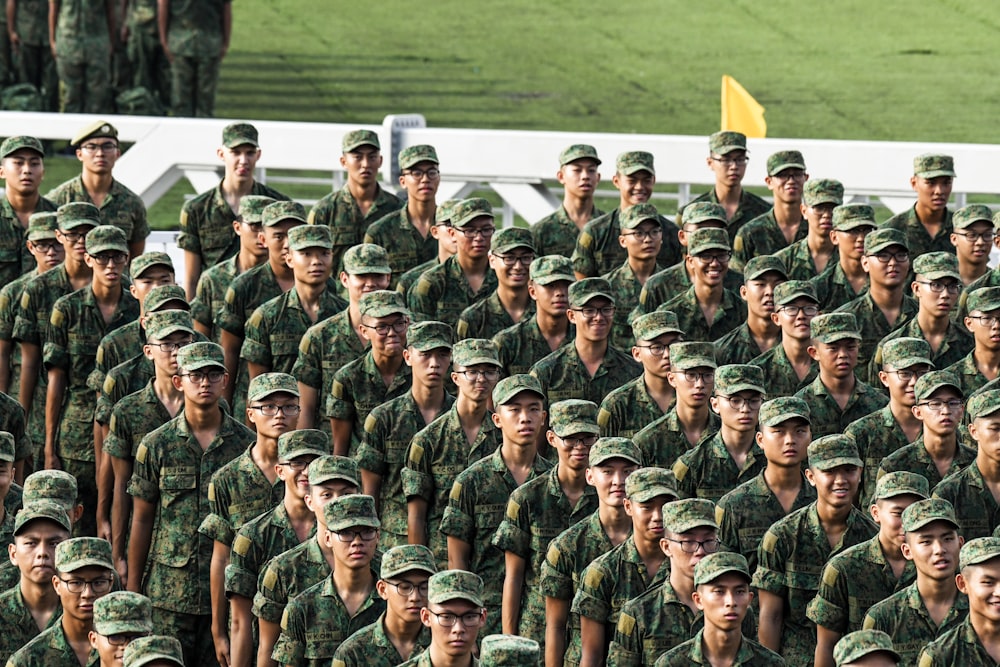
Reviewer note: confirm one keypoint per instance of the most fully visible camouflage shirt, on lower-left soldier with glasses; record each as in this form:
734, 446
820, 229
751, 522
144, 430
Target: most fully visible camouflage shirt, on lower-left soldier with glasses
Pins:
173, 473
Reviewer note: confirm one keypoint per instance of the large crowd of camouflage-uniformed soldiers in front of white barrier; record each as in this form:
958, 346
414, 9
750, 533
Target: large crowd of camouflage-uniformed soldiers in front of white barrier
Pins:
385, 432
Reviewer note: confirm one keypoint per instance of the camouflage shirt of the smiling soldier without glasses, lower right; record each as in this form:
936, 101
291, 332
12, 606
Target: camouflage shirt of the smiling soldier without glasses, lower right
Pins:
790, 564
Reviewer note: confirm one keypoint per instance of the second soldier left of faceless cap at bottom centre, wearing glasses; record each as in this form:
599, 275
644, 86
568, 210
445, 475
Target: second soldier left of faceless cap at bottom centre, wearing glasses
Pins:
398, 633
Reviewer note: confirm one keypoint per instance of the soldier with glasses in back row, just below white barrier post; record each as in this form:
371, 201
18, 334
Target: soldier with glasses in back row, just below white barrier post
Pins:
405, 233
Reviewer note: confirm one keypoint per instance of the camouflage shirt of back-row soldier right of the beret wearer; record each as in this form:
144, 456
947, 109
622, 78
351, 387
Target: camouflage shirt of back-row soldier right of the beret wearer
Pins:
207, 221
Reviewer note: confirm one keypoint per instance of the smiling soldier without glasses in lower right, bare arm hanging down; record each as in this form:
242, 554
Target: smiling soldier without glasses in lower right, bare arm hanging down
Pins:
788, 572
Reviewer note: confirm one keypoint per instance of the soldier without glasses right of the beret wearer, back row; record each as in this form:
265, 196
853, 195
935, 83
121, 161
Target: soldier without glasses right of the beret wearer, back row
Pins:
207, 221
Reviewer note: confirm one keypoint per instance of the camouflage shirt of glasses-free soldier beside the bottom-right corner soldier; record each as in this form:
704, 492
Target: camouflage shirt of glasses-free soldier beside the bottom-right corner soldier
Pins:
904, 617
